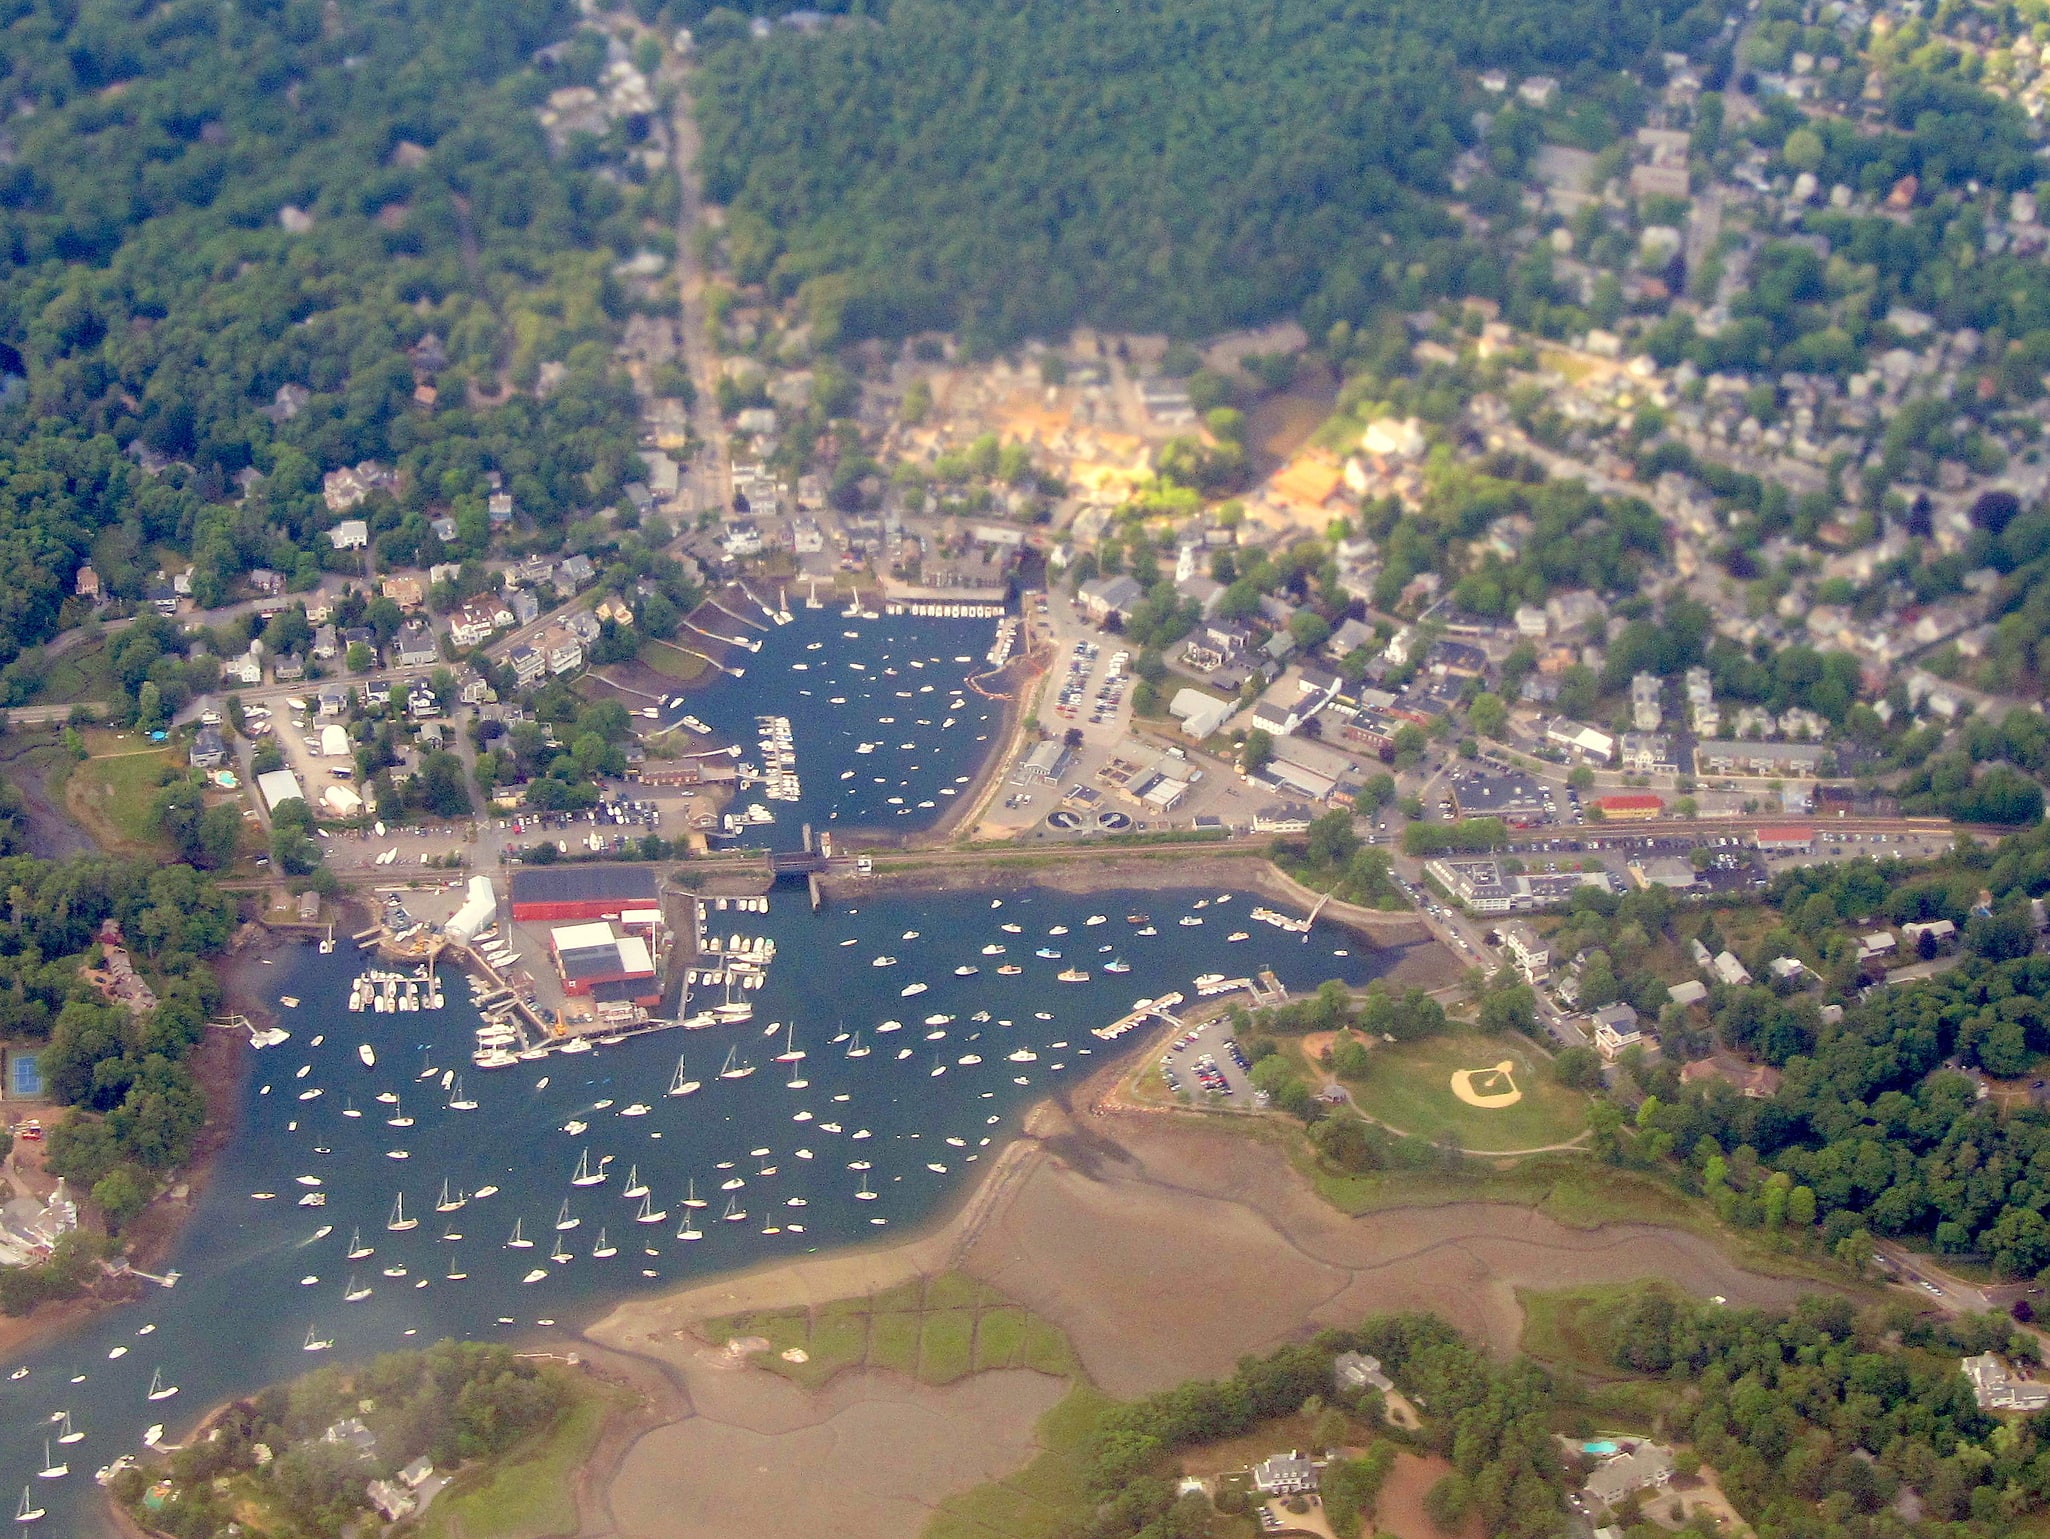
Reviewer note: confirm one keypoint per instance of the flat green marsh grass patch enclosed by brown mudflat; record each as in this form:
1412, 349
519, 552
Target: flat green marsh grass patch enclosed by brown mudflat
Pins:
936, 1331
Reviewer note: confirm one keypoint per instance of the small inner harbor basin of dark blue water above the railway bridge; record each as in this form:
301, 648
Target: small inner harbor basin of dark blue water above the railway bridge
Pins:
887, 729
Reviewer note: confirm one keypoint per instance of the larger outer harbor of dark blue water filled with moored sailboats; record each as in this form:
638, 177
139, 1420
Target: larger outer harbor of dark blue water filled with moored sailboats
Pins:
243, 1311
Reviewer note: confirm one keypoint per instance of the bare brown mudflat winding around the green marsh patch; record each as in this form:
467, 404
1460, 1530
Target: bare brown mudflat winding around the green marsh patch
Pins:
1165, 1251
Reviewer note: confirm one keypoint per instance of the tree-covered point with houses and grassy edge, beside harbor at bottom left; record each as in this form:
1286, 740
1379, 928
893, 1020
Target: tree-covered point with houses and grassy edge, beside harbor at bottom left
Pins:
442, 1438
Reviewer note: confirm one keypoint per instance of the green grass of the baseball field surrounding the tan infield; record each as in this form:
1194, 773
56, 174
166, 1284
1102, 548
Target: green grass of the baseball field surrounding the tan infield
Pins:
1409, 1087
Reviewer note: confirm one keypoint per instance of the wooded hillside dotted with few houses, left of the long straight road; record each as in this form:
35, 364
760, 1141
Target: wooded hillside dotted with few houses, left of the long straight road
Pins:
204, 206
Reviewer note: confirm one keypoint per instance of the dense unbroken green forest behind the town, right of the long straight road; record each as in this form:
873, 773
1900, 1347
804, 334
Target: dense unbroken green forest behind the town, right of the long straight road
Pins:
1012, 171
